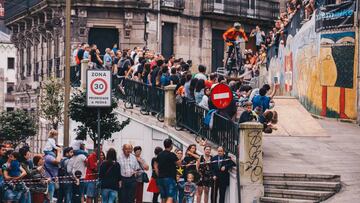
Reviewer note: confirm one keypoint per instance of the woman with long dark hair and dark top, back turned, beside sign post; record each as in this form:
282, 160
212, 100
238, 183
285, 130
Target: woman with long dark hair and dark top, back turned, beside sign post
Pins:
110, 177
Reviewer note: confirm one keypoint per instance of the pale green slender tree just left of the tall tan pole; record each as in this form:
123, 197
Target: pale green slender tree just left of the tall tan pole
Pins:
52, 101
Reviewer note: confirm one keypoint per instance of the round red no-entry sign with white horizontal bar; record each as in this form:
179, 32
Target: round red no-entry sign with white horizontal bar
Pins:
221, 96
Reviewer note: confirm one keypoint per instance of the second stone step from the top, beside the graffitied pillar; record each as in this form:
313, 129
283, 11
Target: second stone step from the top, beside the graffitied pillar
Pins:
303, 185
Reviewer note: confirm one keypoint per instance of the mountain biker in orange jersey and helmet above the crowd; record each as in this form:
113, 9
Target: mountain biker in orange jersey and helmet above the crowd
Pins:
230, 37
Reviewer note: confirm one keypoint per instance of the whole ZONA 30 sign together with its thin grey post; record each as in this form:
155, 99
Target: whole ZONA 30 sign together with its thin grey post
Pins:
98, 95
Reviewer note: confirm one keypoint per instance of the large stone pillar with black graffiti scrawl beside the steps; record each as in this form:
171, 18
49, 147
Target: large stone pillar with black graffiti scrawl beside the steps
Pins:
251, 161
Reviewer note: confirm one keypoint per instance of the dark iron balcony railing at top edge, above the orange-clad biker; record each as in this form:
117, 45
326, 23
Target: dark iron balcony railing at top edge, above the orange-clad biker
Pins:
263, 9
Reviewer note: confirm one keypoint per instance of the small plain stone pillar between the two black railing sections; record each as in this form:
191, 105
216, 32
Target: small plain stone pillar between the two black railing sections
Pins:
170, 105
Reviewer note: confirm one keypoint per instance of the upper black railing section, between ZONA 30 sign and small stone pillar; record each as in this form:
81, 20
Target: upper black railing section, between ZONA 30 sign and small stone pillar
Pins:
150, 99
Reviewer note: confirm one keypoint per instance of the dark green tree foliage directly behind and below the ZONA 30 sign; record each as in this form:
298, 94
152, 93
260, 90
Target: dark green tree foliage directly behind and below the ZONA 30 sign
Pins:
87, 116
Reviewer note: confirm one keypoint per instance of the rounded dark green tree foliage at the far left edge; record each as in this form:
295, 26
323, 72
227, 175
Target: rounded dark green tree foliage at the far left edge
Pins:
17, 126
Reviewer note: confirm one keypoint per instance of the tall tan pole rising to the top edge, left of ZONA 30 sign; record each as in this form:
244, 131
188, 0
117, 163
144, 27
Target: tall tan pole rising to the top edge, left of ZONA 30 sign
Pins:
67, 71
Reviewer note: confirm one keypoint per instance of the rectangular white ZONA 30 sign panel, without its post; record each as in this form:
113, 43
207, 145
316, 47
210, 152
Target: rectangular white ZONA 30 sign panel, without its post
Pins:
98, 93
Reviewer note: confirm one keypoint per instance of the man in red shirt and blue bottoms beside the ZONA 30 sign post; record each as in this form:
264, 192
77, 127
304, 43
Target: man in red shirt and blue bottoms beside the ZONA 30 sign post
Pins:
91, 175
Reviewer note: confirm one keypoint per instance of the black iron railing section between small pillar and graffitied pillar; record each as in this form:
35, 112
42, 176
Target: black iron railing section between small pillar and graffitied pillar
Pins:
224, 132
